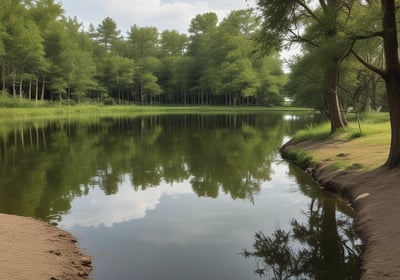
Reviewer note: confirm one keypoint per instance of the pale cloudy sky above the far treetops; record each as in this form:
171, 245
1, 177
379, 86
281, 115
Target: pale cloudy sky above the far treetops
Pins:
163, 14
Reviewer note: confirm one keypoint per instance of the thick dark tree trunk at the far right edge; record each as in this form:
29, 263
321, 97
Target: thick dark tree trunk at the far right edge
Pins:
392, 78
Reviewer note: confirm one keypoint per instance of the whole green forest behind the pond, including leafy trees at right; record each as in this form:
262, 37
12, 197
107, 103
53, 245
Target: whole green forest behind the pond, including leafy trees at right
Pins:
45, 55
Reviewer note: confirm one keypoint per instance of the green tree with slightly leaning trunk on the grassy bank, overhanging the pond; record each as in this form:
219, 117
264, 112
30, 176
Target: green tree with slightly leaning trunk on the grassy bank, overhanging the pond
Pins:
323, 25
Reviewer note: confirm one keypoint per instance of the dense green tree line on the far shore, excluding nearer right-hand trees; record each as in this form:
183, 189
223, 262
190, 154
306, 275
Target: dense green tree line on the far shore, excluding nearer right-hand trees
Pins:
45, 55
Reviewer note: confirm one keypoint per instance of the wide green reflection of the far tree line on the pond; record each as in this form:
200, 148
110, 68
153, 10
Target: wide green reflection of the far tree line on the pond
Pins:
45, 165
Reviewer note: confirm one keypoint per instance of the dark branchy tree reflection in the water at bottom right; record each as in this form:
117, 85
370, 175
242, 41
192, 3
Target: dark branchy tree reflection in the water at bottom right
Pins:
323, 248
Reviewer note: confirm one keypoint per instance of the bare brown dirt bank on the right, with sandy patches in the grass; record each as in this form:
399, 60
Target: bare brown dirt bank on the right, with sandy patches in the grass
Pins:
375, 196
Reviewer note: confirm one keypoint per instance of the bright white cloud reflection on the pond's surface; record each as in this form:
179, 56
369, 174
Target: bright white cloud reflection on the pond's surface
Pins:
97, 208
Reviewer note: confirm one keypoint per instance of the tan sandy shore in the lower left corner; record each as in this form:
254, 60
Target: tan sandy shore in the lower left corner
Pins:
34, 250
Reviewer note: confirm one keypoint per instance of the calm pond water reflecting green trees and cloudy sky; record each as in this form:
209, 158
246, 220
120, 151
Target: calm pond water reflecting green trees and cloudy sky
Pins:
180, 197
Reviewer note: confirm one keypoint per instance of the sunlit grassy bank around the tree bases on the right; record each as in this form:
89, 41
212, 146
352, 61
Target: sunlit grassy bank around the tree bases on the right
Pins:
348, 149
